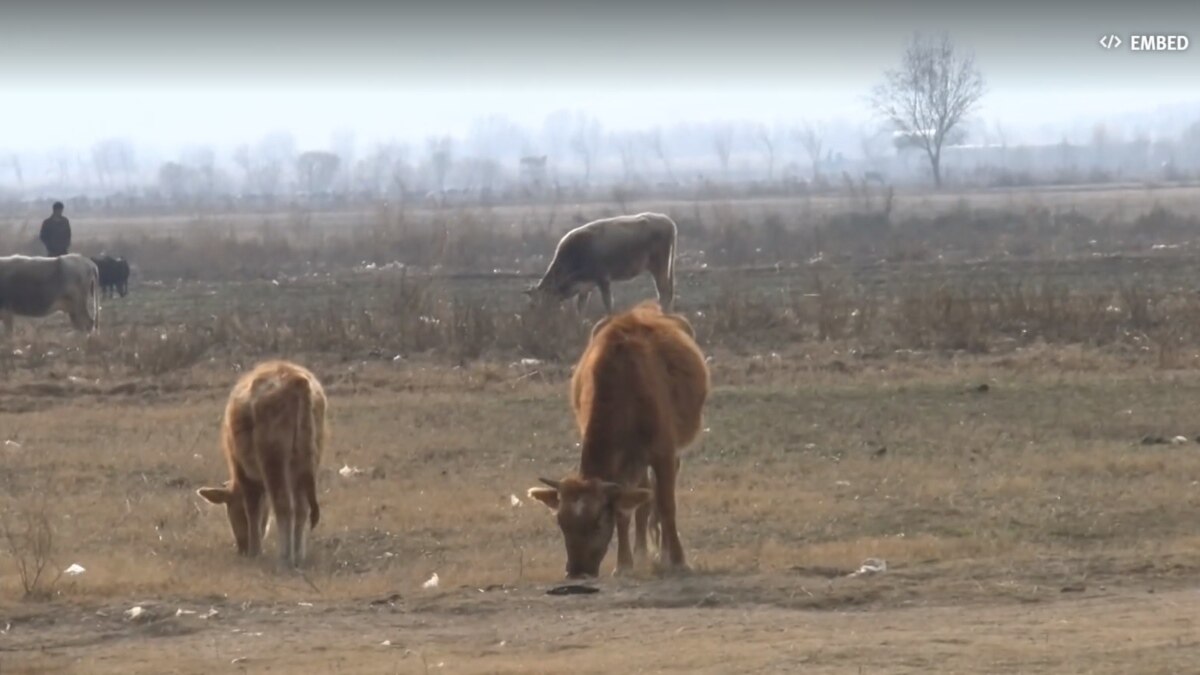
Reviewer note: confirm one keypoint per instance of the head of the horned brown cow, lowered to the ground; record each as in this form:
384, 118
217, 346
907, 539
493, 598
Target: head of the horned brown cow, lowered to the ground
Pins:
587, 515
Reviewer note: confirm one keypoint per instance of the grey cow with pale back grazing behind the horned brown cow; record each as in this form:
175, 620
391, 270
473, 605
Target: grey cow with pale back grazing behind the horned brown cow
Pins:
607, 250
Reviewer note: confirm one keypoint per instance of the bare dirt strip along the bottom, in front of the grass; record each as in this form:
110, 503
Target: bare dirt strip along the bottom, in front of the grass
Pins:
691, 626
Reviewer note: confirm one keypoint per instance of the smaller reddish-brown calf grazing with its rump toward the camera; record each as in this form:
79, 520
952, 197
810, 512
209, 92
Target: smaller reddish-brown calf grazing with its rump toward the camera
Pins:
274, 437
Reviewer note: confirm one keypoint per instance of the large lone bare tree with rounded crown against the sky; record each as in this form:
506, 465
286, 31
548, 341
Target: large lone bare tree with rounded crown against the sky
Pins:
929, 95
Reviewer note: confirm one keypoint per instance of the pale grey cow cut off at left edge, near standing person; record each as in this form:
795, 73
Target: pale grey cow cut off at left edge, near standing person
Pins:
37, 288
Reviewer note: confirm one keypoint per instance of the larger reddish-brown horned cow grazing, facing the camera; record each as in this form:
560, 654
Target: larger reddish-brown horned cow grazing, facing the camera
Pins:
639, 392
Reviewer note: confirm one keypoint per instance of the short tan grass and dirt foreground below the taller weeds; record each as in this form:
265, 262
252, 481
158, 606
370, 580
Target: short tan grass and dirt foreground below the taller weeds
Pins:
1025, 528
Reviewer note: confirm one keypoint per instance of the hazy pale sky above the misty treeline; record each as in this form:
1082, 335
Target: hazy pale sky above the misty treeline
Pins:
171, 74
